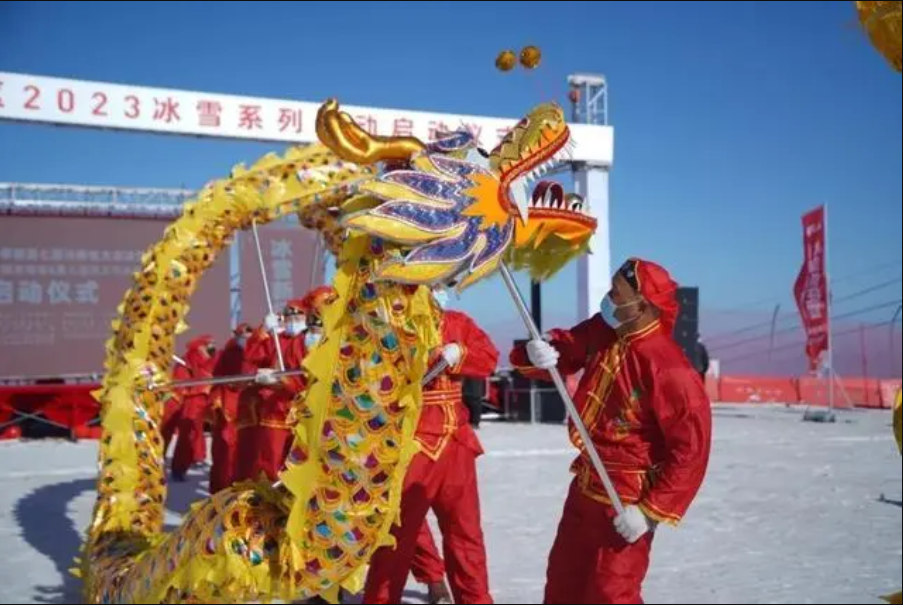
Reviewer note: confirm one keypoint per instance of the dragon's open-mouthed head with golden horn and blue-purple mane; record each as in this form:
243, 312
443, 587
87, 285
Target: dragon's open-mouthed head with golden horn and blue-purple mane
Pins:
454, 211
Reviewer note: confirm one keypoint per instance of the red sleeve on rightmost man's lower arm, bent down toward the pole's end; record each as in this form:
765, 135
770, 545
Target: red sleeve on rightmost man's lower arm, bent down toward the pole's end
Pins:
683, 413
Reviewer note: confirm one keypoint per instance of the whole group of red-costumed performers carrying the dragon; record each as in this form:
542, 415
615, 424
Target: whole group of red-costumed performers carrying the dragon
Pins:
644, 405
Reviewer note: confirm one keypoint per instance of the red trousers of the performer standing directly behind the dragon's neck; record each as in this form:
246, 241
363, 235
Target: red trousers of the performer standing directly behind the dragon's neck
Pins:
449, 487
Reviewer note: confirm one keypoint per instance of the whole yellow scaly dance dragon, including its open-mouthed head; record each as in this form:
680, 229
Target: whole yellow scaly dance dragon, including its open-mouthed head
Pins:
400, 216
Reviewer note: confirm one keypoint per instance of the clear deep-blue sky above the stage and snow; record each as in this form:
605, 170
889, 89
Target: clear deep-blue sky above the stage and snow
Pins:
731, 118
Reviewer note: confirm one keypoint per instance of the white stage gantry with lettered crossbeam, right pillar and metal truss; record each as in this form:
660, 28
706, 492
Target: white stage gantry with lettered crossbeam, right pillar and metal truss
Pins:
65, 102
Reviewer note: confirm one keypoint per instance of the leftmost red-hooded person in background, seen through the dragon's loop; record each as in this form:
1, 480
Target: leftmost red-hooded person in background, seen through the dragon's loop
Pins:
191, 448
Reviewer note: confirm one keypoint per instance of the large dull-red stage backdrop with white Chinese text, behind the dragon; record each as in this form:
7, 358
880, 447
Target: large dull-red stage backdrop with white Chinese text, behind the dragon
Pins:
61, 280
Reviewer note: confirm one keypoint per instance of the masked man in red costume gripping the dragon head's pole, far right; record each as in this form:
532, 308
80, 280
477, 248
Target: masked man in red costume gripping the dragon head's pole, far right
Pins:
650, 420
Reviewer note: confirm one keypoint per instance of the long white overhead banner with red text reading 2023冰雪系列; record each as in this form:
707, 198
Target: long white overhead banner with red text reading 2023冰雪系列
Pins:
42, 99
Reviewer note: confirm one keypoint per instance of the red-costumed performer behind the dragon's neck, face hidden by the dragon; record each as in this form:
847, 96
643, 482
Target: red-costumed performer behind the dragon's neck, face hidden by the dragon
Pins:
443, 475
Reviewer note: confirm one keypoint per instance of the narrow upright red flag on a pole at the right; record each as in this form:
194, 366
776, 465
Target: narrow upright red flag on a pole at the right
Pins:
811, 287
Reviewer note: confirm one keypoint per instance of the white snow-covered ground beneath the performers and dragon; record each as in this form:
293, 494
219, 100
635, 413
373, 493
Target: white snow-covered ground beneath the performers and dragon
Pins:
791, 512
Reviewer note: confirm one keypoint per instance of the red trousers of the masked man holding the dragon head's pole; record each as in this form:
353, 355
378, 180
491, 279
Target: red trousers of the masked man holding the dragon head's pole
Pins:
590, 562
